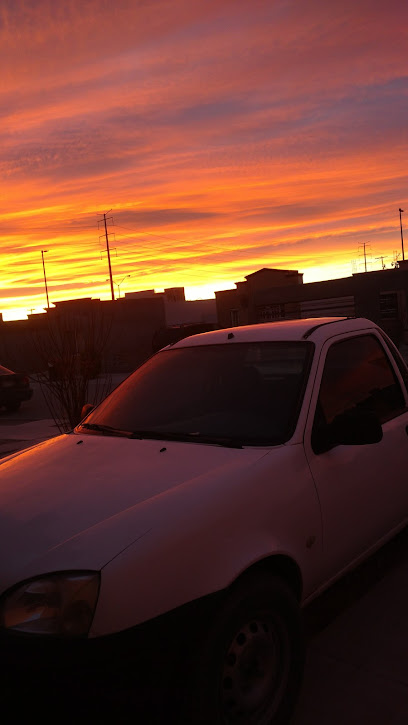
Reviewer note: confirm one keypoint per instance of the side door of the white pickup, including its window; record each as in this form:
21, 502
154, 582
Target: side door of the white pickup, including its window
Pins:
363, 489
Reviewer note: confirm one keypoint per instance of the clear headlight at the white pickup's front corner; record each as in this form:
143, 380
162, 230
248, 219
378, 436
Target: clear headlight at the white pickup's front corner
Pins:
60, 604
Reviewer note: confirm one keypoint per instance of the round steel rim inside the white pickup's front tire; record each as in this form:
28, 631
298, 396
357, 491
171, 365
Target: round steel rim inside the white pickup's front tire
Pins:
254, 672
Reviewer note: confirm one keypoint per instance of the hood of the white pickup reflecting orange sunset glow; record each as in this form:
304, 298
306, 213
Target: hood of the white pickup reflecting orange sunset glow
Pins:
77, 501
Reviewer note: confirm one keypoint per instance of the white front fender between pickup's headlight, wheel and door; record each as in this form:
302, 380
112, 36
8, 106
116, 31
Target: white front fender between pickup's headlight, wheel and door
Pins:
205, 534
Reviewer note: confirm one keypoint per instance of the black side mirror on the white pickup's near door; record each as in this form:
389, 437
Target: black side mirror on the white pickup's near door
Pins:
354, 428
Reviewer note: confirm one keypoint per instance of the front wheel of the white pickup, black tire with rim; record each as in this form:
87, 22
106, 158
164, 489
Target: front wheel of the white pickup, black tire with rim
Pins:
250, 663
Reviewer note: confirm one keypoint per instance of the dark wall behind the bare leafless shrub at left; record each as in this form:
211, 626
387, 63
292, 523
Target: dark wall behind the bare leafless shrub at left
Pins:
121, 332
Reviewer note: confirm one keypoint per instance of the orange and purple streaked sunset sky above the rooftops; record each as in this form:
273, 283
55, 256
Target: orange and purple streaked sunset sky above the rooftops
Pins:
225, 136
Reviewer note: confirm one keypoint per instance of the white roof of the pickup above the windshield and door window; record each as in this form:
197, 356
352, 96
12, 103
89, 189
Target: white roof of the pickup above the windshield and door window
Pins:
313, 328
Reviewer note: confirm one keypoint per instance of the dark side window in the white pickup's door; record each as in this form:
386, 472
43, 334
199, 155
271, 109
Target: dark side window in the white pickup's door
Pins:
357, 376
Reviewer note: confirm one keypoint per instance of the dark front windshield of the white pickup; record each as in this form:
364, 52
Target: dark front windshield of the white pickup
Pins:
231, 394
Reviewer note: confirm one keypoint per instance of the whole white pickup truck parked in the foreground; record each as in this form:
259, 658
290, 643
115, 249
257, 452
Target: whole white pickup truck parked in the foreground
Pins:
222, 486
